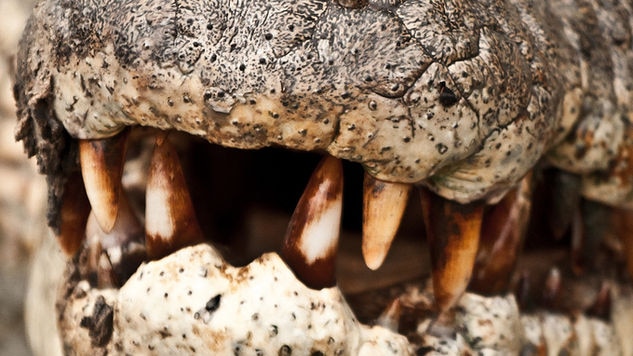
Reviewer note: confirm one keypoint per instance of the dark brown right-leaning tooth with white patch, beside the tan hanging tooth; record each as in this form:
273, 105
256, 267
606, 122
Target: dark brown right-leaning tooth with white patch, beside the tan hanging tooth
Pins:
311, 240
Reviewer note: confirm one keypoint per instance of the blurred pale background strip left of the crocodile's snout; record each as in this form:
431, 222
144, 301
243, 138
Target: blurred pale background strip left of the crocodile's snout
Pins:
22, 192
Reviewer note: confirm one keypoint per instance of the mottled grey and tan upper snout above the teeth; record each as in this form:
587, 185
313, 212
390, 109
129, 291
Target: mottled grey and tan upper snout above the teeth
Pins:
464, 97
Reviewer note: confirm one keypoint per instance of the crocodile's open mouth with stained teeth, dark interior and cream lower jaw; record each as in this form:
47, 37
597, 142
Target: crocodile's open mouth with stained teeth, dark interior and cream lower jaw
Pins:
162, 197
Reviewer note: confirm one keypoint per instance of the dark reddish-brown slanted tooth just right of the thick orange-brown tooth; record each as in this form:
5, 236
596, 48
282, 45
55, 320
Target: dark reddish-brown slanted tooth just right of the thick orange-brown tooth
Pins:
502, 235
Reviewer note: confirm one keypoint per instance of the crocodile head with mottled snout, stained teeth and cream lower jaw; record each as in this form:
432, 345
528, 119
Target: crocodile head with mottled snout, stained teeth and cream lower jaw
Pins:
459, 101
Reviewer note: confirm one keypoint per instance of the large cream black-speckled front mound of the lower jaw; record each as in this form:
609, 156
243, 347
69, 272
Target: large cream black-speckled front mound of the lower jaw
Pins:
193, 303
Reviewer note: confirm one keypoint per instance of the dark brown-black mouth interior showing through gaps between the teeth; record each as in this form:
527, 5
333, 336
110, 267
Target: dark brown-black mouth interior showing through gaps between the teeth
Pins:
244, 200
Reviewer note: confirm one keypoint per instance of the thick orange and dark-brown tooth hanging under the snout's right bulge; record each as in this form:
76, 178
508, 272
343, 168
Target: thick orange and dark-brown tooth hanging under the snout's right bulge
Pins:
452, 231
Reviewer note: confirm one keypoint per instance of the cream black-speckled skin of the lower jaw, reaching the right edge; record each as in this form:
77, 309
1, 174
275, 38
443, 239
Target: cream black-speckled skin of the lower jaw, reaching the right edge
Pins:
192, 302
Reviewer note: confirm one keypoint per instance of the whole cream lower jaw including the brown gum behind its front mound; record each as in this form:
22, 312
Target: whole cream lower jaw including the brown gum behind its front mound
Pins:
157, 323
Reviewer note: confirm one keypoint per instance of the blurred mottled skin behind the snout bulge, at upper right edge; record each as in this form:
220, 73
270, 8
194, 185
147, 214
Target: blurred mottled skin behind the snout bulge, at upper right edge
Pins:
600, 145
